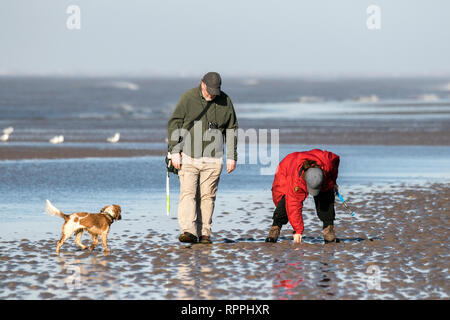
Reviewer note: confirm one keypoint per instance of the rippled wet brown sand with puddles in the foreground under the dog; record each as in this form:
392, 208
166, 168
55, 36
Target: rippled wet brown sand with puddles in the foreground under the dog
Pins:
396, 247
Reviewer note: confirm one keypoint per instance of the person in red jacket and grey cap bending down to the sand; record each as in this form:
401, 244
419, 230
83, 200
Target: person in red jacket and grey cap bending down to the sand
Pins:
299, 174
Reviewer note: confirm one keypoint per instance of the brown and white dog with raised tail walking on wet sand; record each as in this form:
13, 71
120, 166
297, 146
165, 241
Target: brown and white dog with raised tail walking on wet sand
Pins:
96, 224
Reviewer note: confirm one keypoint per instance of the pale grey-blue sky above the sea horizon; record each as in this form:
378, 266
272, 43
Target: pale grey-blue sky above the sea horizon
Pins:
290, 38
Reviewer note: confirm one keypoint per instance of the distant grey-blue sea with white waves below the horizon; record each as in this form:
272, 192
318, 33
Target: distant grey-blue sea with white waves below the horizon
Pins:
87, 109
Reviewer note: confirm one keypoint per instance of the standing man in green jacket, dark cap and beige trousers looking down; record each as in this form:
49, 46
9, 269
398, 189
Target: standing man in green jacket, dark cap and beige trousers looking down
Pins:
203, 116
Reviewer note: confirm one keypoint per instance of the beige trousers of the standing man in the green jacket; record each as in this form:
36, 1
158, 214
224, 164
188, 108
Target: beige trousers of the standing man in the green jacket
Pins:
199, 179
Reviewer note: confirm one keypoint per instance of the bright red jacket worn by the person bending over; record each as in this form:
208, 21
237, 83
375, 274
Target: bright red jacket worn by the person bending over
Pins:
288, 183
